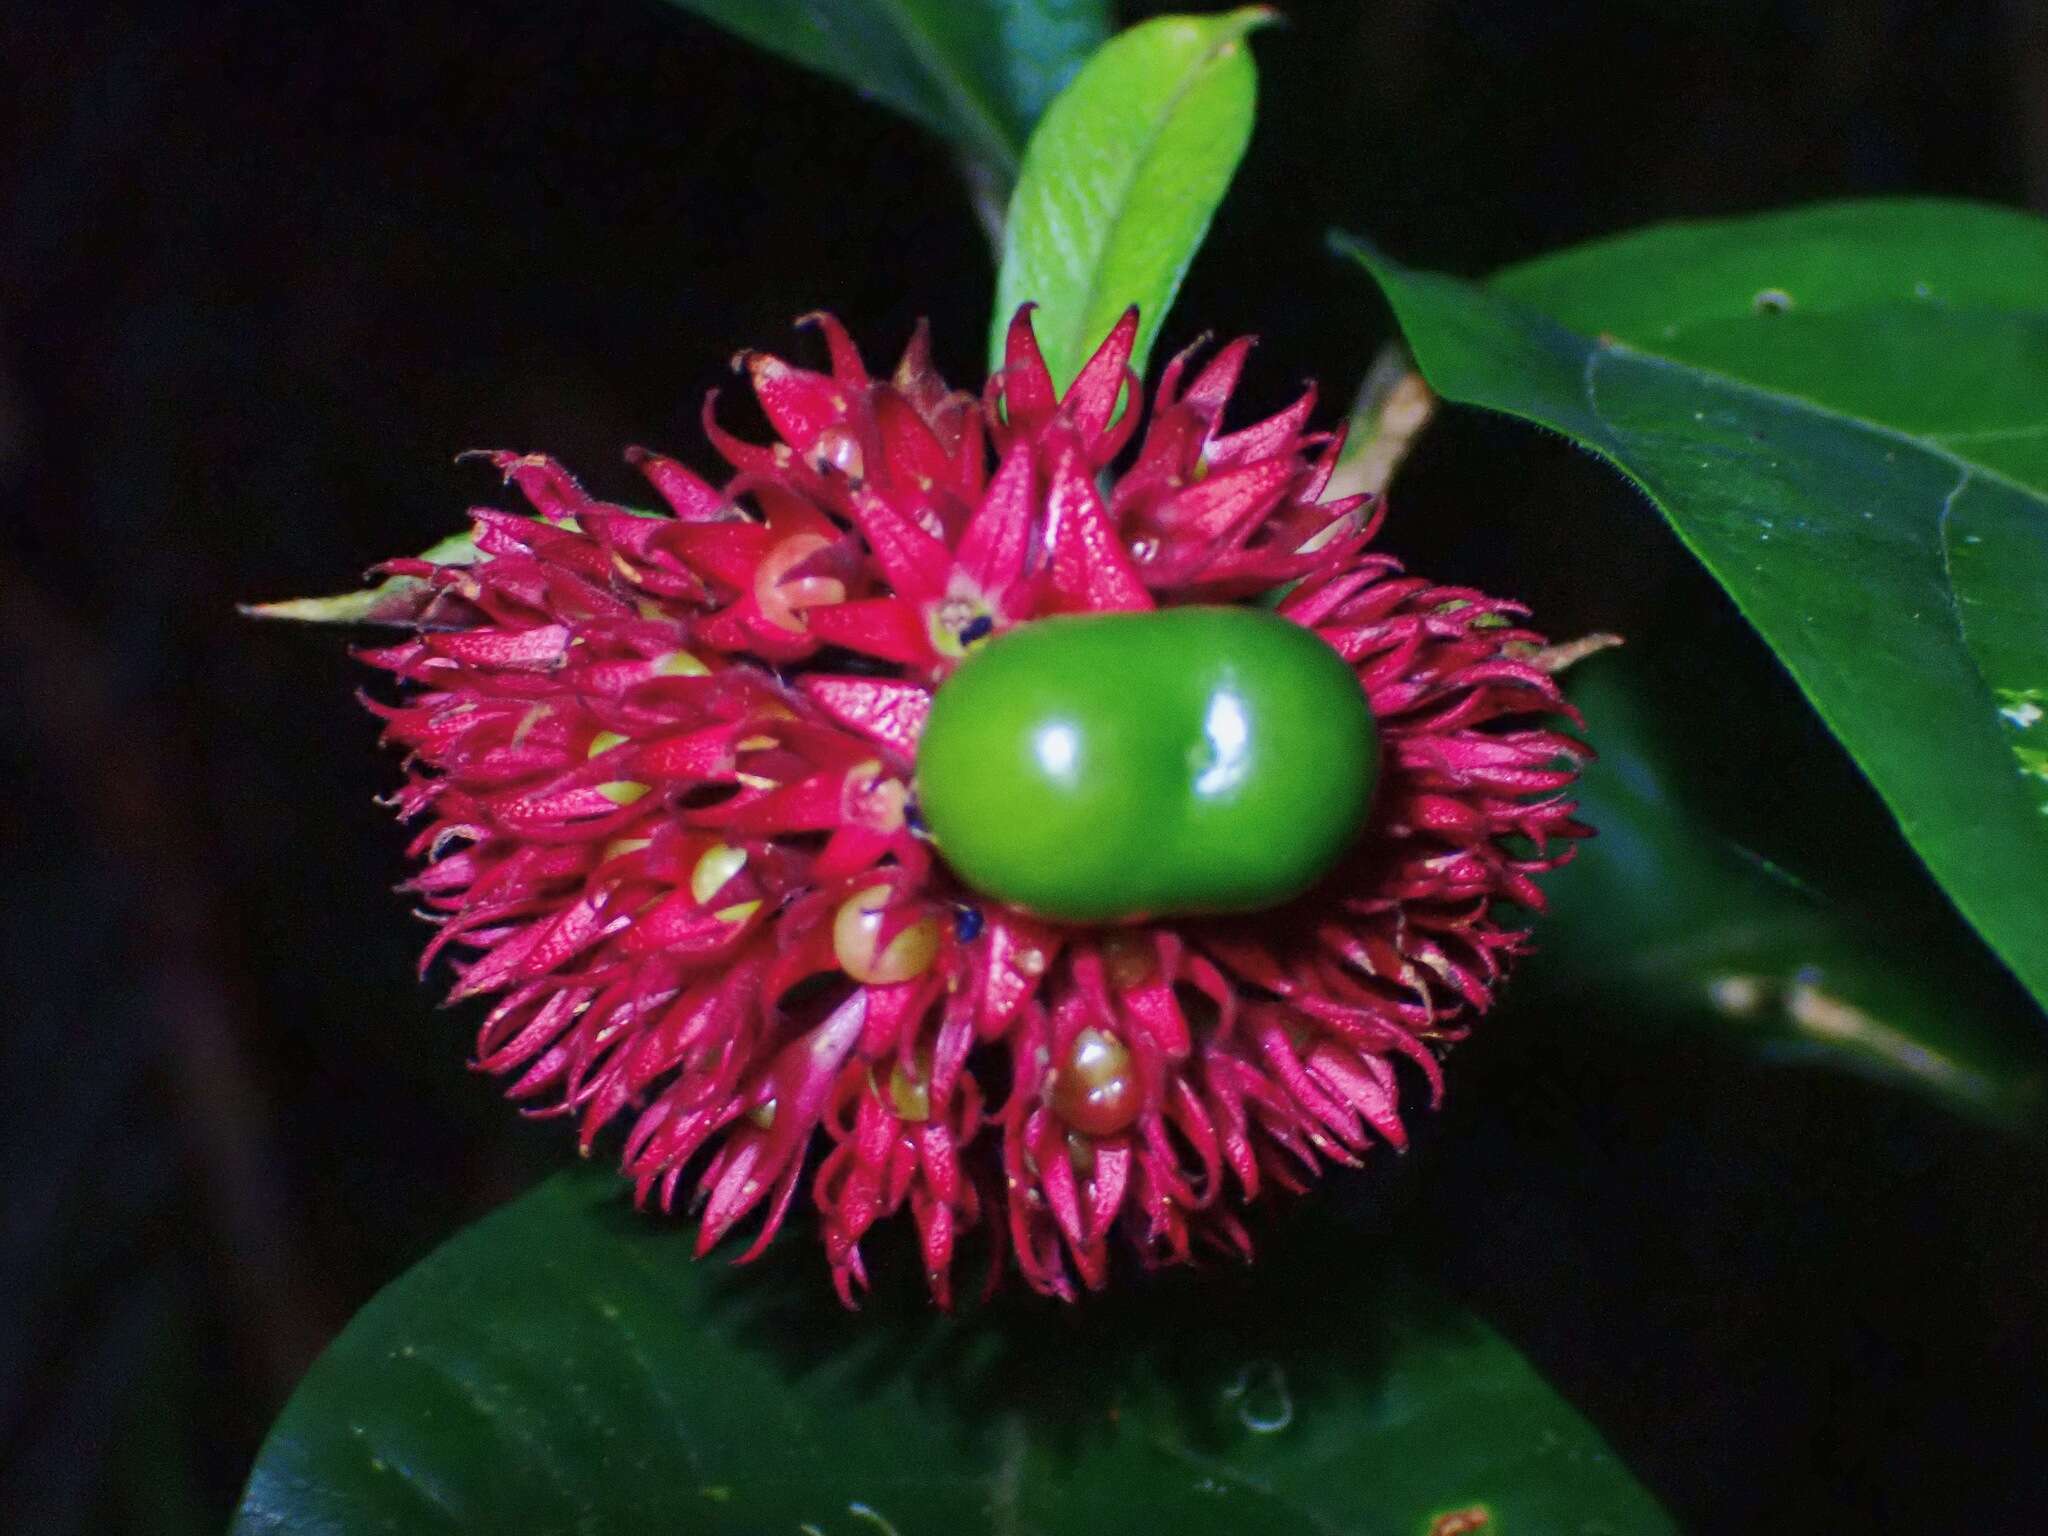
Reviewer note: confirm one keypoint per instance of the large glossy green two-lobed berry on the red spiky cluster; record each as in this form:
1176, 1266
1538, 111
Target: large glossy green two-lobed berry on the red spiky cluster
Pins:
1117, 767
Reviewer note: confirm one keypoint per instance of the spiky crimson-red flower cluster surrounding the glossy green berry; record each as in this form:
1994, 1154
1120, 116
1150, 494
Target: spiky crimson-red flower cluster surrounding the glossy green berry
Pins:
667, 769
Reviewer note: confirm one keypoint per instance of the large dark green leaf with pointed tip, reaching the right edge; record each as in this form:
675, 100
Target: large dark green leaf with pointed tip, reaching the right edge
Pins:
1844, 415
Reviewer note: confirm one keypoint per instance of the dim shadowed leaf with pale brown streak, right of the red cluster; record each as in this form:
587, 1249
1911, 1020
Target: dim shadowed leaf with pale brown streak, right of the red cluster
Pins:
1670, 923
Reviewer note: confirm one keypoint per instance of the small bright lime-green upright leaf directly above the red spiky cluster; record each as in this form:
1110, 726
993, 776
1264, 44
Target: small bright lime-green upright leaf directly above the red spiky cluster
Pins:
1121, 181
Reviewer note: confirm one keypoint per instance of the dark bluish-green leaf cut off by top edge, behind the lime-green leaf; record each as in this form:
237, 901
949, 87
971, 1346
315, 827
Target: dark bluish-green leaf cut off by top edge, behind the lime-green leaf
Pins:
978, 73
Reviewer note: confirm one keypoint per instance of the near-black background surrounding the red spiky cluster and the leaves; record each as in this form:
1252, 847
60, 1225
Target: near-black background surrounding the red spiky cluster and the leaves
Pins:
267, 267
